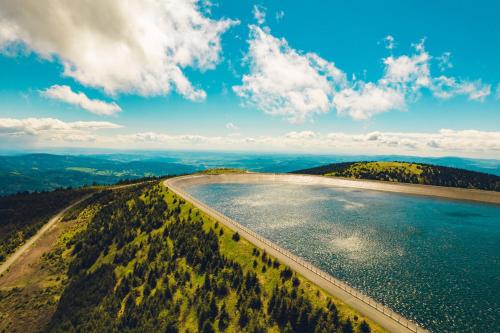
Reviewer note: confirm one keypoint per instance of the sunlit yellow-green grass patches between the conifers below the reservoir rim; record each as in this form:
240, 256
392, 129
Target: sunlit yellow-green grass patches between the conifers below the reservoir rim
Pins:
241, 252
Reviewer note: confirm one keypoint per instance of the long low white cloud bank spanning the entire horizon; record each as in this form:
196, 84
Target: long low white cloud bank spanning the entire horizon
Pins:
49, 132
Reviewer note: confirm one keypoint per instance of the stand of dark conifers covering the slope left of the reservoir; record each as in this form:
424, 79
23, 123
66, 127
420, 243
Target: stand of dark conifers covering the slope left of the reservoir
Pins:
146, 264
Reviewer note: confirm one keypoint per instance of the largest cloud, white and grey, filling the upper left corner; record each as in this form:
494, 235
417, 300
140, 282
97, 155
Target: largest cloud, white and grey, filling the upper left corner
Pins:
131, 46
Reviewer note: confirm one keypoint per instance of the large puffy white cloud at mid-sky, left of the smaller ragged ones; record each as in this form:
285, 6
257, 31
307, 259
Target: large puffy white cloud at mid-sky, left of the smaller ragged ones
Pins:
285, 82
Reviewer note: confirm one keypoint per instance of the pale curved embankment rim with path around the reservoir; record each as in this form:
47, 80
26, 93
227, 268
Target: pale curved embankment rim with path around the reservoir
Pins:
385, 317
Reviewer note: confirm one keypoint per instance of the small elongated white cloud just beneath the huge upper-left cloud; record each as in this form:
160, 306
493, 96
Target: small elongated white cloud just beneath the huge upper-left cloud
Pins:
65, 94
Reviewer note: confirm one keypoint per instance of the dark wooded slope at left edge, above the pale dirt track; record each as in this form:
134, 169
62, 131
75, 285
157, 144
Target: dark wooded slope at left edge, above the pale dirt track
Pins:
21, 215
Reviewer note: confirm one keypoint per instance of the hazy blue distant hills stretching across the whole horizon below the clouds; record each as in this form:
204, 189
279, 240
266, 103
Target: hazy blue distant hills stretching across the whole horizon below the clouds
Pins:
41, 171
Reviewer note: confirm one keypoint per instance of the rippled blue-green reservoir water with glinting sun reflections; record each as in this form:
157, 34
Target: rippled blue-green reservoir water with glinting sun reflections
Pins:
434, 261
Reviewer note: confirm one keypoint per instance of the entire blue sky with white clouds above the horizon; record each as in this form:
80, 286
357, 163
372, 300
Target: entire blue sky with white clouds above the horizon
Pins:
331, 77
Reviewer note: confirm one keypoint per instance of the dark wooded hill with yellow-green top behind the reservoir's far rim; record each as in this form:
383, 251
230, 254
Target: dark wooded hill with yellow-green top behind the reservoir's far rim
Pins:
405, 172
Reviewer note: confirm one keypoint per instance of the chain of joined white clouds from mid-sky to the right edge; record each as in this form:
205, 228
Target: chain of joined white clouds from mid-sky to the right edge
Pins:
286, 82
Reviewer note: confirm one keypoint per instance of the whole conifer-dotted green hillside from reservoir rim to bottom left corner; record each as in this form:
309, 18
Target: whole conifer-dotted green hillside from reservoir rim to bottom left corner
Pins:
142, 259
